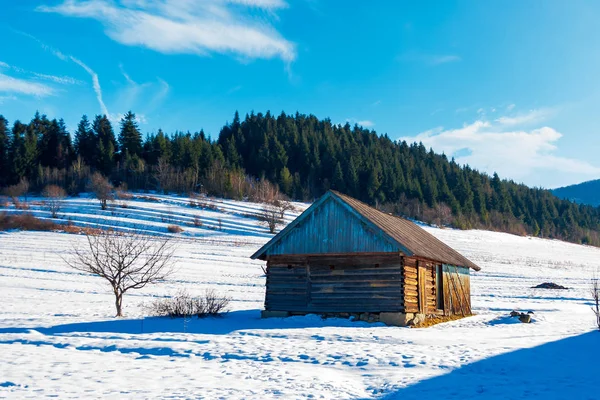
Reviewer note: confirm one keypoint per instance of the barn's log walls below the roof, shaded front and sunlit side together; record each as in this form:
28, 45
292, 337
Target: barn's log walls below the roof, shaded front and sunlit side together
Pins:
365, 283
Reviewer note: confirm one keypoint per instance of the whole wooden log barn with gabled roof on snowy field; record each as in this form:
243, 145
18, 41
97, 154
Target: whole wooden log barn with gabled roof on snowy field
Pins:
342, 257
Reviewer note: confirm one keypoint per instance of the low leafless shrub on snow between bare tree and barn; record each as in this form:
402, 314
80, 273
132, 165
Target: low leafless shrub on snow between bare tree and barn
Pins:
185, 305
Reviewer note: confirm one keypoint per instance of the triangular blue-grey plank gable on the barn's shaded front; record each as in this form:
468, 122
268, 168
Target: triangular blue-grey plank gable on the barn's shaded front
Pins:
330, 226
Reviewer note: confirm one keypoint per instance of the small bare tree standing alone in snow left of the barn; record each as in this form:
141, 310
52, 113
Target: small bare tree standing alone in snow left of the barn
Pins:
126, 260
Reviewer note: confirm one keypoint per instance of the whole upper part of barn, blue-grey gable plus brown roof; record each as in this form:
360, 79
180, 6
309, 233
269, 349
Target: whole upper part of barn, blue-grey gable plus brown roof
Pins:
337, 223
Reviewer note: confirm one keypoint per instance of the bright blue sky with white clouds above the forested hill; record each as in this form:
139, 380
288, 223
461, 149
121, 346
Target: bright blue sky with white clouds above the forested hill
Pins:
510, 86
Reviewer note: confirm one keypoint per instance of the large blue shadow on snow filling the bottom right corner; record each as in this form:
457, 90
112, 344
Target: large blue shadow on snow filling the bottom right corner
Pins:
564, 369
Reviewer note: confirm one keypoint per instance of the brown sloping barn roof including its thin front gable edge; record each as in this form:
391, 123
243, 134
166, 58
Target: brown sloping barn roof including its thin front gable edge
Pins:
413, 239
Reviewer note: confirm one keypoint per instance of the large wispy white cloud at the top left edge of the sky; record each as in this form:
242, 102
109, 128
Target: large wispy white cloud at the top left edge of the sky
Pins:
187, 26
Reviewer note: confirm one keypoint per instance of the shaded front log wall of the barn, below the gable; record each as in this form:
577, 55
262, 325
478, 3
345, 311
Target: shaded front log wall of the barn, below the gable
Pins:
330, 284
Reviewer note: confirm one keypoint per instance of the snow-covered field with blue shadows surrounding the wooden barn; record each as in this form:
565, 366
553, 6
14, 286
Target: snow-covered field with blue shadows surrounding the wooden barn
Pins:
58, 337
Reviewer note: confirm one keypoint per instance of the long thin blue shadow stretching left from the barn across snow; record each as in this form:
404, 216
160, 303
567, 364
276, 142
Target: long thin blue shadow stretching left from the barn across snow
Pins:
226, 324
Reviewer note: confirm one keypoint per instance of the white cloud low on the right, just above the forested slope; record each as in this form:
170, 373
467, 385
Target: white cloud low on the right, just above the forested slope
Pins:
515, 153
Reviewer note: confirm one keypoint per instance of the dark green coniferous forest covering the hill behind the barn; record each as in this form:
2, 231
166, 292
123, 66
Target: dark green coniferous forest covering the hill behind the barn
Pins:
299, 155
